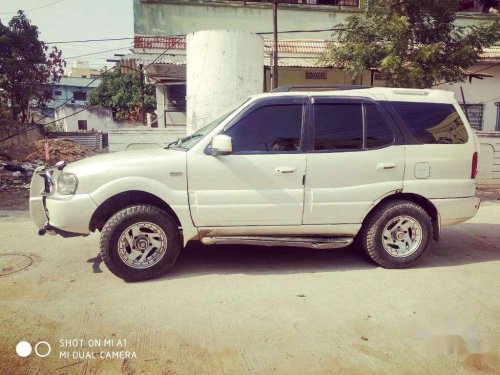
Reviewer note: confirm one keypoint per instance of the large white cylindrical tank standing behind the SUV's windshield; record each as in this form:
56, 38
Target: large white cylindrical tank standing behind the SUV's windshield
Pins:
223, 68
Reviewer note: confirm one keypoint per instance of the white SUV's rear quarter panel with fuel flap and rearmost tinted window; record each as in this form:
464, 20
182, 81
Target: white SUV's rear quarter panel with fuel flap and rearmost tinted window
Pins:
440, 149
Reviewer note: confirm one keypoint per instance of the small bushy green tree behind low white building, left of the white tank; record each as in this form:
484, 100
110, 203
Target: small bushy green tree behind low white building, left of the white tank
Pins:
122, 94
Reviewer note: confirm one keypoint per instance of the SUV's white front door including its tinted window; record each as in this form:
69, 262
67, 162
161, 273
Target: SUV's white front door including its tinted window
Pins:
261, 181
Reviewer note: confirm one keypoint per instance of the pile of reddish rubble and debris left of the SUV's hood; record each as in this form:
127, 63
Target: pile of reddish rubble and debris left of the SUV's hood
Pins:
17, 166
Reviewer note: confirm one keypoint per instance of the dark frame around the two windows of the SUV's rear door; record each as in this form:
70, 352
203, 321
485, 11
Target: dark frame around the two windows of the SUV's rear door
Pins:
396, 132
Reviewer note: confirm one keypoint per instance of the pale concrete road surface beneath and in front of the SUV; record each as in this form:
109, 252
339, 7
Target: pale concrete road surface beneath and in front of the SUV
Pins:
253, 310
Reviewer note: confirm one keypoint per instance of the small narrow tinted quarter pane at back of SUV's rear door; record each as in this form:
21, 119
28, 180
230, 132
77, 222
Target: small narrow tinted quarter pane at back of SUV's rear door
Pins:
378, 133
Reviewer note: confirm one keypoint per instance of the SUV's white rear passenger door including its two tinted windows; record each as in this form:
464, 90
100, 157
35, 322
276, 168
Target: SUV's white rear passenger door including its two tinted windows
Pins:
355, 157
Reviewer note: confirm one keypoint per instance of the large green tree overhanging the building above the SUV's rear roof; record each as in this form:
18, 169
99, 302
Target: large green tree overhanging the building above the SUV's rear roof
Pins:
415, 42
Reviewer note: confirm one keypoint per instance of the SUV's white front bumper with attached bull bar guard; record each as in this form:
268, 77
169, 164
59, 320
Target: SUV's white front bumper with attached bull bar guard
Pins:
67, 215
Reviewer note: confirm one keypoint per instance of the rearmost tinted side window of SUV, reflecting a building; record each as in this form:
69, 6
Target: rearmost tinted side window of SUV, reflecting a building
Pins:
433, 123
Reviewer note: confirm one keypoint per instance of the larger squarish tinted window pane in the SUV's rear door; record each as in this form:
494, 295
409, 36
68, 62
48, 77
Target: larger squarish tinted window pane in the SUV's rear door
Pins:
338, 126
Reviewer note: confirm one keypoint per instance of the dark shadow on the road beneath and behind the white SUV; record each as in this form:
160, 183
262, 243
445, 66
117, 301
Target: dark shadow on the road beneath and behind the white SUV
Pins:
464, 244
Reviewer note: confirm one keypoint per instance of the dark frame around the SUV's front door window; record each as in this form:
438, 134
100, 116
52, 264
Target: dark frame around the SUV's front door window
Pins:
264, 102
